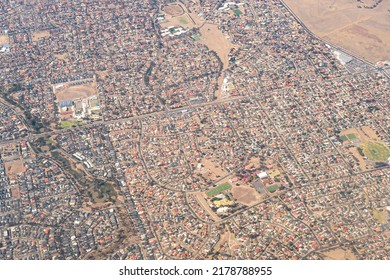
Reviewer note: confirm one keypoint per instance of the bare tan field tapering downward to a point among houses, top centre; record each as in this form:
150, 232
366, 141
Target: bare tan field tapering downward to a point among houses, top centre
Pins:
216, 41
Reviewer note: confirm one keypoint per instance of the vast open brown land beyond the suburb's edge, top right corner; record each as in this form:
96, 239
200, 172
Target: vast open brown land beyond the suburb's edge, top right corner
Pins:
365, 32
